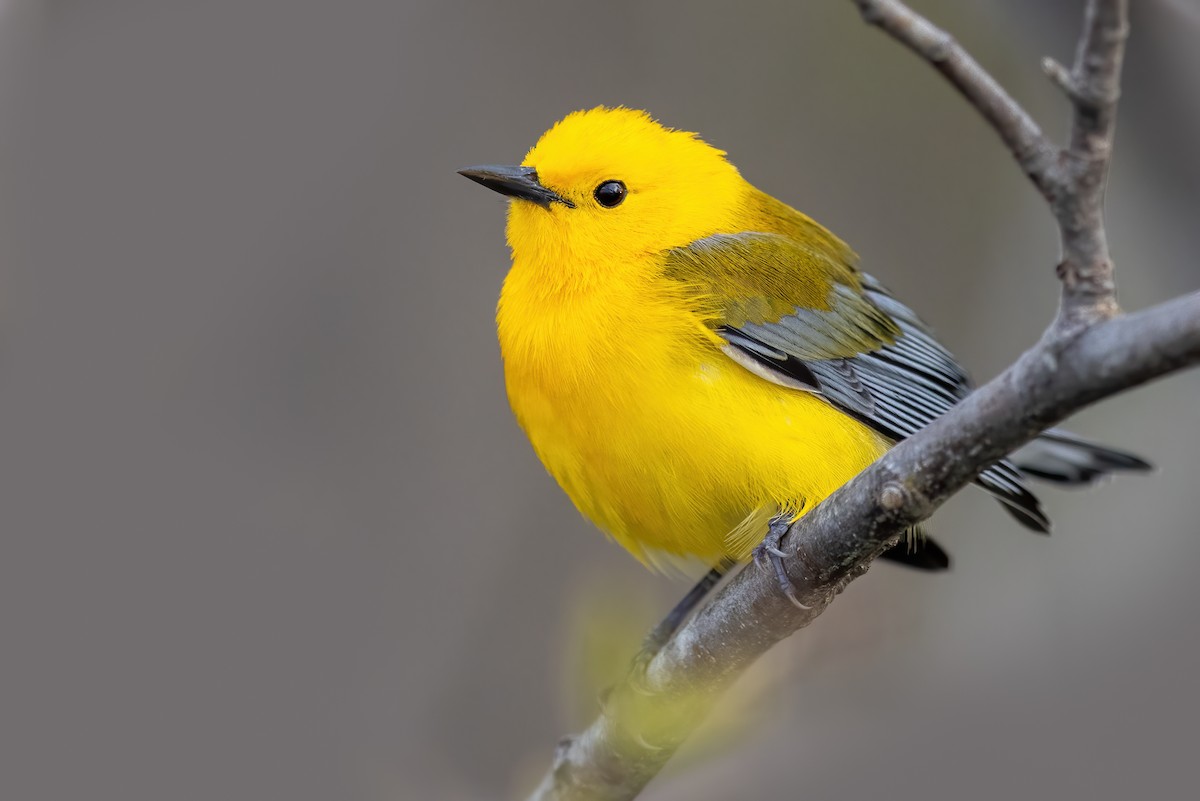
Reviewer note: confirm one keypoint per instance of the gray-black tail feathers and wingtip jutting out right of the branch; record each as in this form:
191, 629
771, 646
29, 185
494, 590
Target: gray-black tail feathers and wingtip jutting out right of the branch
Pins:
1054, 456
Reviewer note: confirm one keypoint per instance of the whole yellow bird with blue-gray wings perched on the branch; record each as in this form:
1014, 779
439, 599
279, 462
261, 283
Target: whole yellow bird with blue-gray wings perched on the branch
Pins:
699, 364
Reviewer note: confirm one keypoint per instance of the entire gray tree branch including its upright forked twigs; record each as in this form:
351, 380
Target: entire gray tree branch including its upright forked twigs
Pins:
1088, 354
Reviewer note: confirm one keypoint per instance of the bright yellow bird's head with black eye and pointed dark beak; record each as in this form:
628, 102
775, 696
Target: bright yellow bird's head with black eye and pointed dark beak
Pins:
615, 184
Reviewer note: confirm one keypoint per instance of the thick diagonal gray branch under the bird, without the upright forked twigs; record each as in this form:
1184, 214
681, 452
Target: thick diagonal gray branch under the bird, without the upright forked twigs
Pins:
645, 722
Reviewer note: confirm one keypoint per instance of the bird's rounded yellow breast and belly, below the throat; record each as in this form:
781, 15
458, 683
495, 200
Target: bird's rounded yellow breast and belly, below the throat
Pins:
669, 445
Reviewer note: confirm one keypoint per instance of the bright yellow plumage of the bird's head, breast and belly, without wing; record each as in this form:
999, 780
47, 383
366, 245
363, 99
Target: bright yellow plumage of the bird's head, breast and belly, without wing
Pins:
616, 377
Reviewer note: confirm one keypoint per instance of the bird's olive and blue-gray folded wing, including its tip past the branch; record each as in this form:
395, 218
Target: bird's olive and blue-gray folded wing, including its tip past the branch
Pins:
842, 336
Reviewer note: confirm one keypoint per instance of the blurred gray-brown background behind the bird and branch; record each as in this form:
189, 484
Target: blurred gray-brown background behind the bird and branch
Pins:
269, 531
